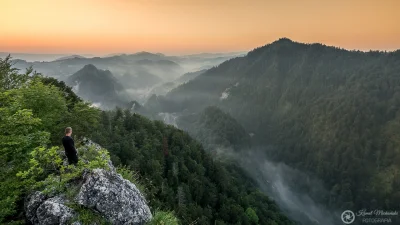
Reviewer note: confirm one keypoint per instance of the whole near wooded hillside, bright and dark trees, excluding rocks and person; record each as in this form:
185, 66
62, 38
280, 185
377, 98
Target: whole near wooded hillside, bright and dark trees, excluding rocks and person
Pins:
173, 169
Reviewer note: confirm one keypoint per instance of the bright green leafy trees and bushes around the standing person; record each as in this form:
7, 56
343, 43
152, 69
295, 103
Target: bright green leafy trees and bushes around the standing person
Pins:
33, 112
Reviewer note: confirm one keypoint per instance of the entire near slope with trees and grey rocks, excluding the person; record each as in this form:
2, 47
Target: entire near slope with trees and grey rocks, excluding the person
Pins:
170, 168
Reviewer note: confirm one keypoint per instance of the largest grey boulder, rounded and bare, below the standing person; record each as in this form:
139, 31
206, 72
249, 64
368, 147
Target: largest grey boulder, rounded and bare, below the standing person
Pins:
115, 198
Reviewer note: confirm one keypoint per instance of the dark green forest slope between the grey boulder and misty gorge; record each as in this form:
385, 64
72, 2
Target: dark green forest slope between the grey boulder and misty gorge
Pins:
179, 175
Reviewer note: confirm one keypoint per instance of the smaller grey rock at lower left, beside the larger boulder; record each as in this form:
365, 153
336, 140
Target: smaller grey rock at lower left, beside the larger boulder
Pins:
47, 211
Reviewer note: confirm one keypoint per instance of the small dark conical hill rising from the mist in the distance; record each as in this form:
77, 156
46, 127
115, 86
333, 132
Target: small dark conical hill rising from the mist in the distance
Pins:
97, 86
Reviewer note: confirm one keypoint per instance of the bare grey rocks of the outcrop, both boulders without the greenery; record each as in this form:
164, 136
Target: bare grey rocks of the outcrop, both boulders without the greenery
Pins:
103, 191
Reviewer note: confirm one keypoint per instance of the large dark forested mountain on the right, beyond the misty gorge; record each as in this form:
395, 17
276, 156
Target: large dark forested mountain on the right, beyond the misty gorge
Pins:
331, 112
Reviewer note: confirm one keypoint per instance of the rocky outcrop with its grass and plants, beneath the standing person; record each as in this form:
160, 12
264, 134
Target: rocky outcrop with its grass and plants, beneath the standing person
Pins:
82, 193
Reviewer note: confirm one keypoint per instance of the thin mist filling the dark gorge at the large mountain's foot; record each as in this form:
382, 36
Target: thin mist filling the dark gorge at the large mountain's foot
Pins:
283, 183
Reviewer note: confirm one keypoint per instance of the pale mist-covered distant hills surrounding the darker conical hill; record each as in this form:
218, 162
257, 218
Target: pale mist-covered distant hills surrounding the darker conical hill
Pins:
140, 75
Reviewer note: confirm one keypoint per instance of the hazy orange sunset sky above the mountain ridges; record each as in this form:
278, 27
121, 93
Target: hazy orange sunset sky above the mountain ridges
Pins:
189, 26
